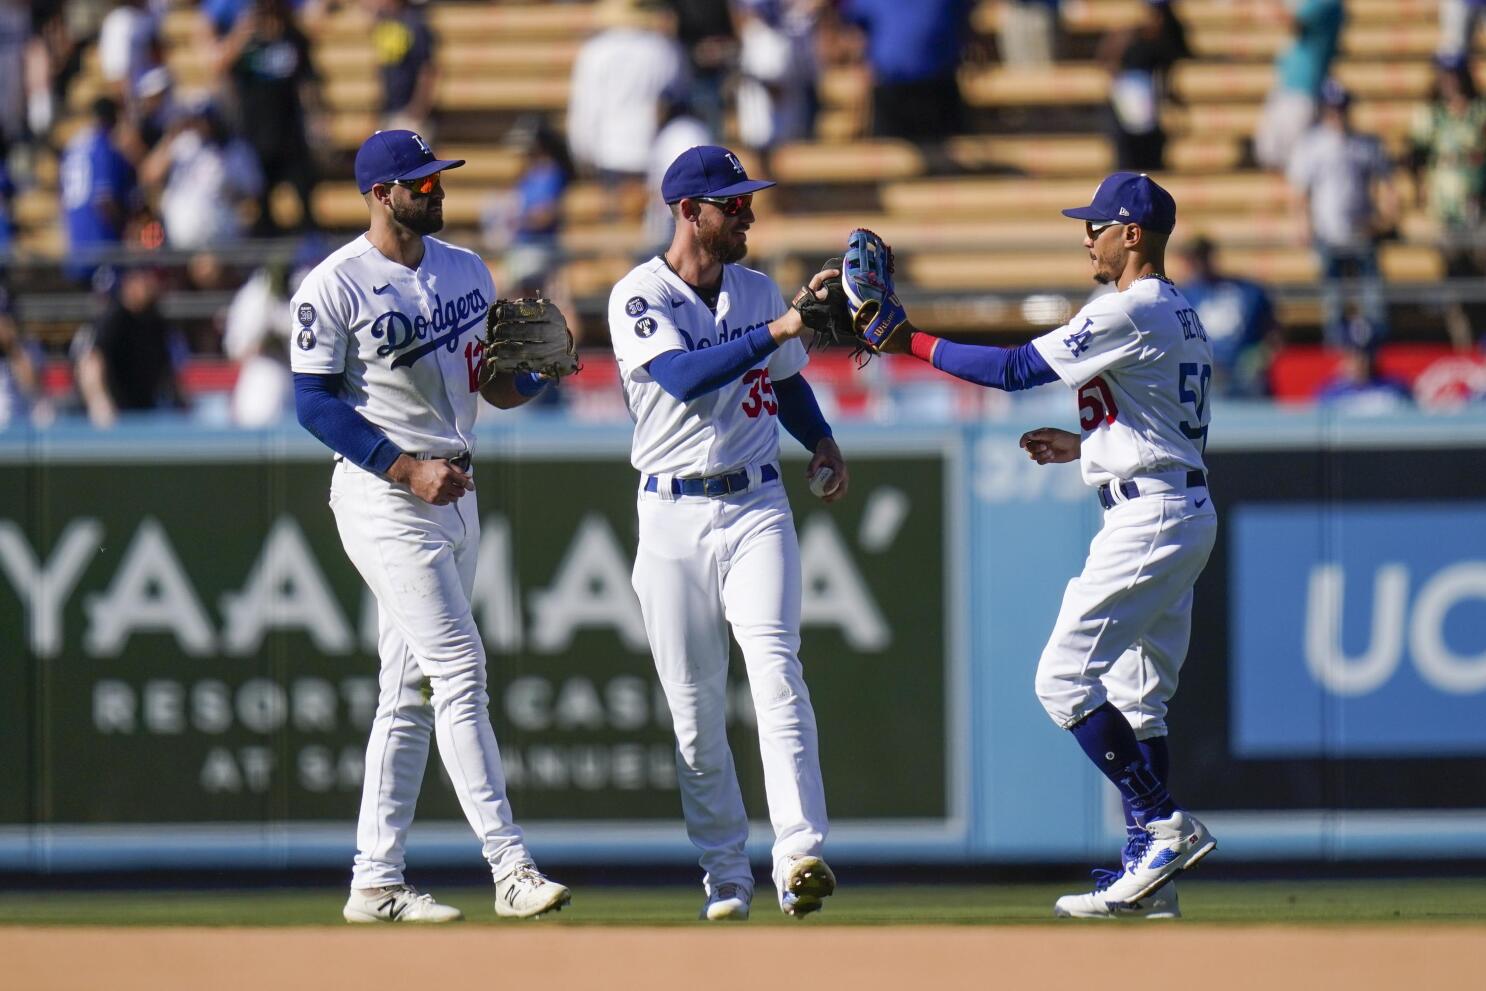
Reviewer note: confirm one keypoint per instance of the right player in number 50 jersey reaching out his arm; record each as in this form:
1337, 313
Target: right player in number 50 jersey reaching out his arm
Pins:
1141, 365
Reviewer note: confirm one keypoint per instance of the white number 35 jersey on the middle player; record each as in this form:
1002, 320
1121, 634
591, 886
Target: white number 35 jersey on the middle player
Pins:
653, 311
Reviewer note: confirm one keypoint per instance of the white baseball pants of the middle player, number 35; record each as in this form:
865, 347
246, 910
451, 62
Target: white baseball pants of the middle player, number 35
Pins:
704, 565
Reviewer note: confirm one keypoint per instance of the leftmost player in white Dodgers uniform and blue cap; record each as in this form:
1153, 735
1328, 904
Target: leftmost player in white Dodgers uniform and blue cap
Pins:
387, 374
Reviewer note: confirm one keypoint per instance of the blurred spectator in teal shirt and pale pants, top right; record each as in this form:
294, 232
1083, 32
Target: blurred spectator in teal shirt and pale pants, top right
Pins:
1300, 74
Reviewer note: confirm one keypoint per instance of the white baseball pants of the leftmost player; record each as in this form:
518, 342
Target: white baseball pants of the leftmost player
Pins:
420, 559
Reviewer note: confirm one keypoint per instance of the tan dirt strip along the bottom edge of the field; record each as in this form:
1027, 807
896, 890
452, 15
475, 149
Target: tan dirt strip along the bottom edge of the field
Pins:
614, 959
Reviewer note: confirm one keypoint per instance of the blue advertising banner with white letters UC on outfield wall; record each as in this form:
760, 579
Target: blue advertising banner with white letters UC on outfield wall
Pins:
1359, 629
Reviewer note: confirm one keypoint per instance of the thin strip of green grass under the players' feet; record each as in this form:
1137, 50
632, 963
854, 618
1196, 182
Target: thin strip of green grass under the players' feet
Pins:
1310, 903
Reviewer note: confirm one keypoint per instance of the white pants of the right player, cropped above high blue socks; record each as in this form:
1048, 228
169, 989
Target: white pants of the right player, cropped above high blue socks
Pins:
1127, 620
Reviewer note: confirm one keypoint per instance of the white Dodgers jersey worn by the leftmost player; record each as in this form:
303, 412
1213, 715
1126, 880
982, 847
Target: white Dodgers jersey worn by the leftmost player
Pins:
406, 339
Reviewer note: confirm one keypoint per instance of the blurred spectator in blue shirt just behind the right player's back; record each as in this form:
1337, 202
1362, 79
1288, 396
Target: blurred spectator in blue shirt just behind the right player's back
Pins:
1240, 322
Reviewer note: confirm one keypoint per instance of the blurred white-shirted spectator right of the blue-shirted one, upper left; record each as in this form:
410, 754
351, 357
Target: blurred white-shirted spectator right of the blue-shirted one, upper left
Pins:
206, 176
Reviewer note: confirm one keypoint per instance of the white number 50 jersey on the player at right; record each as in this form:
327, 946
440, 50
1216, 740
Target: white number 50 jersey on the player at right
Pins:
1142, 365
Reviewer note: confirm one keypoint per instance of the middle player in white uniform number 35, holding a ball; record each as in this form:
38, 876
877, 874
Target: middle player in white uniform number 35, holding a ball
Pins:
711, 365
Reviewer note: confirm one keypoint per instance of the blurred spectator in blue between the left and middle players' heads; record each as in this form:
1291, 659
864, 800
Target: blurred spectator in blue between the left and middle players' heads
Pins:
533, 252
